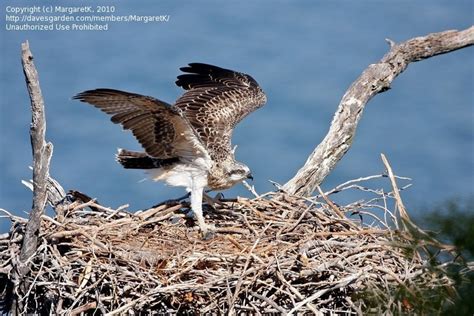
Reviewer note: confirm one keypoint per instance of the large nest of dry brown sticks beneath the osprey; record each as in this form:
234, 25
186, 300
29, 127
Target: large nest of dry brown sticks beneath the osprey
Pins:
273, 254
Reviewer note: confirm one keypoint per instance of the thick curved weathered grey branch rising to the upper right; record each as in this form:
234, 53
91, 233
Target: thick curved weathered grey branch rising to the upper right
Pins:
375, 79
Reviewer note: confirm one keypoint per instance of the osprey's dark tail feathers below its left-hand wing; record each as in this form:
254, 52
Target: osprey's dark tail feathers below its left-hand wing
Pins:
140, 160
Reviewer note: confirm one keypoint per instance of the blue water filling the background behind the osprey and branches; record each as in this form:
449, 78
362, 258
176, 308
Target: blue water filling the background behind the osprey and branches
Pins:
304, 54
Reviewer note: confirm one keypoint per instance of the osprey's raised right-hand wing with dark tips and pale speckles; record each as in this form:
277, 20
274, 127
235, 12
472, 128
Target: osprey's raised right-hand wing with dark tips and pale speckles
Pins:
215, 101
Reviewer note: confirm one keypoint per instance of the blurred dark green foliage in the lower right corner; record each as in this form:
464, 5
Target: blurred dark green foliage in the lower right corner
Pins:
451, 223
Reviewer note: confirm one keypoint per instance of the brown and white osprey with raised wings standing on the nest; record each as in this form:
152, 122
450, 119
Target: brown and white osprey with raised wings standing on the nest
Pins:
189, 143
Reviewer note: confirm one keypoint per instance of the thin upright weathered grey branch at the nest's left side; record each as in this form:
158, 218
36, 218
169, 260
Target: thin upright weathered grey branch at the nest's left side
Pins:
42, 153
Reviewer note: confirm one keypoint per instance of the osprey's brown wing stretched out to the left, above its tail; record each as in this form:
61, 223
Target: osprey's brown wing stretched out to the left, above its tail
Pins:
159, 127
